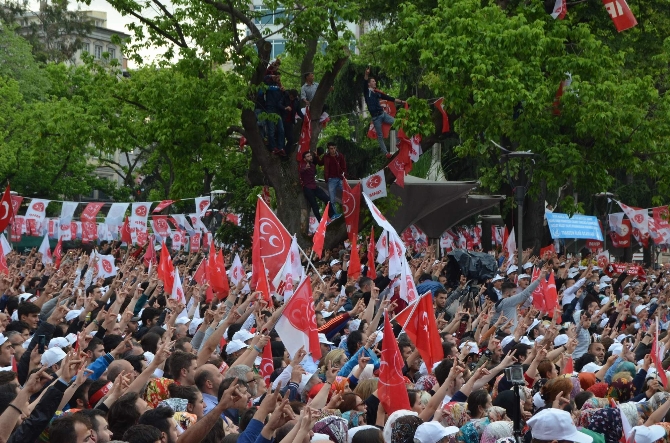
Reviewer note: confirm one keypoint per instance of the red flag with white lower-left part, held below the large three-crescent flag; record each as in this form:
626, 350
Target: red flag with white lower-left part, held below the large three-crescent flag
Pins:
297, 325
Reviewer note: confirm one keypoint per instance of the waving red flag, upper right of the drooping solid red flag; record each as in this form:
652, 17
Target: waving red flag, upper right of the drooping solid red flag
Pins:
421, 327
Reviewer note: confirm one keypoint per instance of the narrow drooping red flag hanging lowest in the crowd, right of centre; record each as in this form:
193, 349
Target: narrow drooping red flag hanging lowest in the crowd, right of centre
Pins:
391, 390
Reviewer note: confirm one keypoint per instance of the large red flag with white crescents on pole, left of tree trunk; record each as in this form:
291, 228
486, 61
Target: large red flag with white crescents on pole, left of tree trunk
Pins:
271, 241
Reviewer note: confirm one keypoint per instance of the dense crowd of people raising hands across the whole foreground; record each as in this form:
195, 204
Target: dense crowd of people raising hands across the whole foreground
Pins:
87, 359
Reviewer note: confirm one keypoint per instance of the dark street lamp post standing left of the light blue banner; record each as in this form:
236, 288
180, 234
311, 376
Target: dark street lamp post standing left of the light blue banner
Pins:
520, 187
